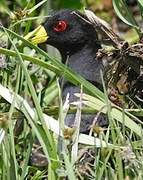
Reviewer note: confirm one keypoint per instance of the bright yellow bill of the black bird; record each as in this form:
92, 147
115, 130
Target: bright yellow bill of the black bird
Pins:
38, 35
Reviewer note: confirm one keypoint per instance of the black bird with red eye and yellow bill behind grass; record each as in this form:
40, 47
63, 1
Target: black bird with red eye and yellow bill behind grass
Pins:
77, 42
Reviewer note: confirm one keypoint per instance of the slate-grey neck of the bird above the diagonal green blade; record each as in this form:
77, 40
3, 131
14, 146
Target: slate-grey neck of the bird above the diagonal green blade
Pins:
84, 62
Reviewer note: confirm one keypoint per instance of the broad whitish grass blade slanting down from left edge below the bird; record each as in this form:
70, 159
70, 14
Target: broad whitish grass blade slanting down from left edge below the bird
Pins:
50, 122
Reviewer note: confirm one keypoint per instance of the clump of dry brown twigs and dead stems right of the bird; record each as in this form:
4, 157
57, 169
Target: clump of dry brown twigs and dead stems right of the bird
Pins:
123, 64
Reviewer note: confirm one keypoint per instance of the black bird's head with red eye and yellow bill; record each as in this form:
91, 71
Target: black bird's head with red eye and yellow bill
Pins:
66, 31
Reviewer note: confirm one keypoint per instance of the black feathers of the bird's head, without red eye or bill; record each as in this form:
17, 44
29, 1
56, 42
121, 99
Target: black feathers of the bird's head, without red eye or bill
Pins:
75, 36
